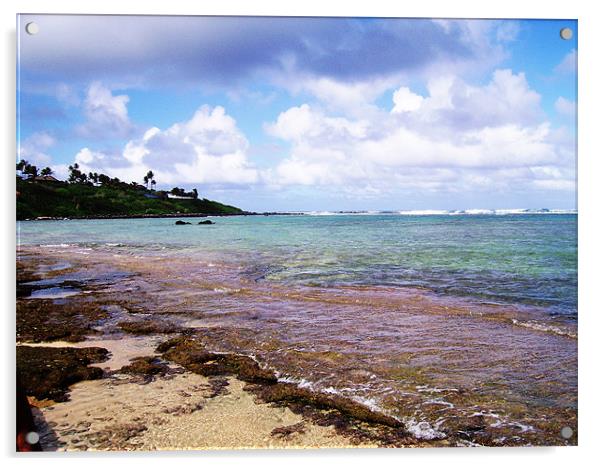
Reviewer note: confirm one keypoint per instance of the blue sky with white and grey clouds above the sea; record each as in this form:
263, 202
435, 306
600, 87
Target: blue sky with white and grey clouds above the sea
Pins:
301, 114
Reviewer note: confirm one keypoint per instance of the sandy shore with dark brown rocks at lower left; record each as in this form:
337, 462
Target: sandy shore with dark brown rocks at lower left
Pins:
65, 361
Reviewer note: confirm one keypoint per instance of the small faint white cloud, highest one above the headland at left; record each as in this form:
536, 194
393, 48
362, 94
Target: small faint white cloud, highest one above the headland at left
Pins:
106, 114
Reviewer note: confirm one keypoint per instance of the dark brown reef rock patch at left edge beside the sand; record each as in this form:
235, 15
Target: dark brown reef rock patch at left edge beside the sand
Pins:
47, 373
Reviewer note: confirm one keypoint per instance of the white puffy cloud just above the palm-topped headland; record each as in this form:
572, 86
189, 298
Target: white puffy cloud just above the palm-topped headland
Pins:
208, 148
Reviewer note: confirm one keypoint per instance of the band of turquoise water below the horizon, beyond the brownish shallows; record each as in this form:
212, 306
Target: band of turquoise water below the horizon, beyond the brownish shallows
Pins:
524, 259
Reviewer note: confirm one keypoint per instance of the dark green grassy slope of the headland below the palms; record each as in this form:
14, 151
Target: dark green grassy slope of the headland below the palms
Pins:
40, 199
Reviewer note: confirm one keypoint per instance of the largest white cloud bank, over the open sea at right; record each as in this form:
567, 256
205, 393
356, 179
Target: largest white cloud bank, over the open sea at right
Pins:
458, 137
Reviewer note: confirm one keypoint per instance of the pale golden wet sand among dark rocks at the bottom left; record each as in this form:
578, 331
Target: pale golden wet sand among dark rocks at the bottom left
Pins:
176, 412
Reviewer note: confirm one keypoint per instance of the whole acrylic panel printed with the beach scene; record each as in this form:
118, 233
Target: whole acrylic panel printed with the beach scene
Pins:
295, 232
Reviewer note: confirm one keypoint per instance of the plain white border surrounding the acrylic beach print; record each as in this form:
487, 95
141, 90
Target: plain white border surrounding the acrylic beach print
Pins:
590, 80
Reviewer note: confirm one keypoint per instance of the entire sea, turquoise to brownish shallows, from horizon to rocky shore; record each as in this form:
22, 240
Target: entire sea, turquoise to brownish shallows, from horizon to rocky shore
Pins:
437, 320
